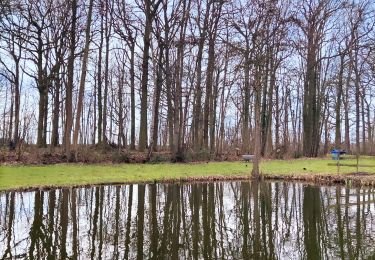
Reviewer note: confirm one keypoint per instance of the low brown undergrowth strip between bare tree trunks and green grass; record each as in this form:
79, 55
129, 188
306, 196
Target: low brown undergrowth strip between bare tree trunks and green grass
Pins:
93, 154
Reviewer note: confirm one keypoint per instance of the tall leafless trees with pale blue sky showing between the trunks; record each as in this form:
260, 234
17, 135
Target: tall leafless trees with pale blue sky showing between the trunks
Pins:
268, 77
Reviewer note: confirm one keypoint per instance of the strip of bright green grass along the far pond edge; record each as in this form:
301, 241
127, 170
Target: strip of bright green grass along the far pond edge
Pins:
26, 177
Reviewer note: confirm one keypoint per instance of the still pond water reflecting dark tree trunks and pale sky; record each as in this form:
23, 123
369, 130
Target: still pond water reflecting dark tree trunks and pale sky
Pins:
223, 220
